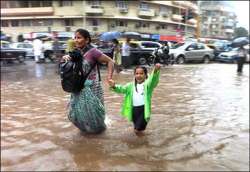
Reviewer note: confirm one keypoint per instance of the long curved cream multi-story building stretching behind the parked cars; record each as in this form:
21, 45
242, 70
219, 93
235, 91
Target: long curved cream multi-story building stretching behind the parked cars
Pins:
148, 17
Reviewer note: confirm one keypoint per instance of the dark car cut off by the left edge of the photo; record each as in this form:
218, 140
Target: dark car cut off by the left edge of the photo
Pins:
10, 54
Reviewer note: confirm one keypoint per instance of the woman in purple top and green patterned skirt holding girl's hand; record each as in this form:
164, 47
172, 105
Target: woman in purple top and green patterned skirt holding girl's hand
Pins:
92, 57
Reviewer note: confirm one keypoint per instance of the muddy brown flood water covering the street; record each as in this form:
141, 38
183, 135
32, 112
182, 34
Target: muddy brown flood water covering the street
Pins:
200, 121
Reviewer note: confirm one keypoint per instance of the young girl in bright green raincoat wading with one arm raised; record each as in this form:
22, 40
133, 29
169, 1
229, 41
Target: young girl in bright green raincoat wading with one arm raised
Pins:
137, 101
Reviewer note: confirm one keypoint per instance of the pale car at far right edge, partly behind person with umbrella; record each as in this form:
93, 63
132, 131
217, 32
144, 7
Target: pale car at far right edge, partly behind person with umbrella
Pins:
232, 56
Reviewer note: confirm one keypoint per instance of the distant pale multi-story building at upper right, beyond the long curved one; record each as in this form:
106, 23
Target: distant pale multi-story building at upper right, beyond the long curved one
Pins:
217, 20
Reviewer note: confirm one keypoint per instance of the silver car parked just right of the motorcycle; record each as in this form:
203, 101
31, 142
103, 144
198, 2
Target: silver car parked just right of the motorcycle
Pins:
191, 51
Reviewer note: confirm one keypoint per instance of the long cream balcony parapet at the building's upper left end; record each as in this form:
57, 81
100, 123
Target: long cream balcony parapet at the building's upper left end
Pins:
7, 12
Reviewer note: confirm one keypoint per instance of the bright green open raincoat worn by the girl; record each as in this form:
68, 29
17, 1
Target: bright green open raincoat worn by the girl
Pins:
149, 84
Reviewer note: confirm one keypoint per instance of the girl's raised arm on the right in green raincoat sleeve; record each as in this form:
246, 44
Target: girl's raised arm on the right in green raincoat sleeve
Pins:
154, 77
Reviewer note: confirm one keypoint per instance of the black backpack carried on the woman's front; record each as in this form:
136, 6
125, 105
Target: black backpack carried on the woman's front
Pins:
71, 72
